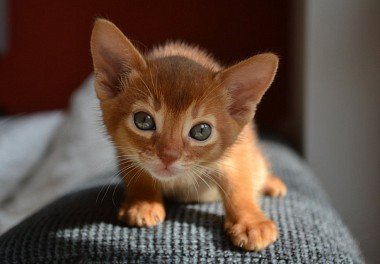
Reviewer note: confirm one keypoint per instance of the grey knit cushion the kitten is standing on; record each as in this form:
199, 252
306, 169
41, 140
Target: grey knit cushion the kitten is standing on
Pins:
82, 227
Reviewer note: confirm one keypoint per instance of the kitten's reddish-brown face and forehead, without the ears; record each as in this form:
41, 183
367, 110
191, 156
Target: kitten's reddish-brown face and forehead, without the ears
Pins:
172, 118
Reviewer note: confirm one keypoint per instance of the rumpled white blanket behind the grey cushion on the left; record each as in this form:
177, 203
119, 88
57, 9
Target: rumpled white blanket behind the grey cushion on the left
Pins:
43, 156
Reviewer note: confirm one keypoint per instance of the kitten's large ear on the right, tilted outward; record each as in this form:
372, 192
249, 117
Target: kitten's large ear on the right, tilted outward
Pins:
246, 83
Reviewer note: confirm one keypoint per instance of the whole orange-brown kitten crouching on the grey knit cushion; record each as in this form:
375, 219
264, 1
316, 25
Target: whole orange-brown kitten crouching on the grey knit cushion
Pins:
182, 127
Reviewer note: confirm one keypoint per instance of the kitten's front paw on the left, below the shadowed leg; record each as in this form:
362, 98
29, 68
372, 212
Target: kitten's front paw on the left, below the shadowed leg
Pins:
142, 213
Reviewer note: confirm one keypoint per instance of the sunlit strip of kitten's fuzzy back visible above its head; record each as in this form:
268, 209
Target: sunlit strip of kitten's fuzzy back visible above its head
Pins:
179, 48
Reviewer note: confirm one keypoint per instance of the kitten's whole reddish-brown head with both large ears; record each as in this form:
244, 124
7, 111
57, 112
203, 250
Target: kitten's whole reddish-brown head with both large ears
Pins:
172, 115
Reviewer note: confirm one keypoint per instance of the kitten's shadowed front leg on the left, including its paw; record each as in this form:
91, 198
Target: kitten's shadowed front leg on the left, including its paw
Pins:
143, 204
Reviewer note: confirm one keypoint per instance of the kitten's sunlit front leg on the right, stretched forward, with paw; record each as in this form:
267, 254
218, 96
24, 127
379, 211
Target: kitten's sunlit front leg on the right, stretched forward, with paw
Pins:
245, 222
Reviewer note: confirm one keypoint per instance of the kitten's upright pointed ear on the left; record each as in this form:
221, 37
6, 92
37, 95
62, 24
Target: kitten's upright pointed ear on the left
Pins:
113, 55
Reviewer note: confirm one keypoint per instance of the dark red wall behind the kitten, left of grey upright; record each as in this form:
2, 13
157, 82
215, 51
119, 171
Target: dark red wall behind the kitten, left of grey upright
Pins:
49, 55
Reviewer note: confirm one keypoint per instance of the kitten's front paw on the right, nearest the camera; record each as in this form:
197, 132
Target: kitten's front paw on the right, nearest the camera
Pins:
255, 235
